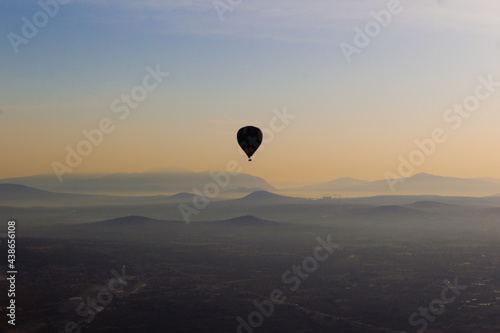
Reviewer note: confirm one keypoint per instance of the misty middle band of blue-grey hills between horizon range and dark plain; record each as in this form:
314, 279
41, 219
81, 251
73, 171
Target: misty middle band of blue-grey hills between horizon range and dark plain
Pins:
39, 207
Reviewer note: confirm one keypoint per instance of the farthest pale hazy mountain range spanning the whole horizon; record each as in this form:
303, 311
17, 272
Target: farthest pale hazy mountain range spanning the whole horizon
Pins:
184, 182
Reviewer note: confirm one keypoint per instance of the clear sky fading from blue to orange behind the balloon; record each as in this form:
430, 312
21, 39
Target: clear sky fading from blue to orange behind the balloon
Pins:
235, 63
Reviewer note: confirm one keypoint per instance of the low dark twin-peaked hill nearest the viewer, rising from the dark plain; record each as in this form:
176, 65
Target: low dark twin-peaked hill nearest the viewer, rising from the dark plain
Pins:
142, 229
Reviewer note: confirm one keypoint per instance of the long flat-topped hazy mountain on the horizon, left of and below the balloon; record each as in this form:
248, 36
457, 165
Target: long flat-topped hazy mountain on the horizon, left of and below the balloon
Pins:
156, 181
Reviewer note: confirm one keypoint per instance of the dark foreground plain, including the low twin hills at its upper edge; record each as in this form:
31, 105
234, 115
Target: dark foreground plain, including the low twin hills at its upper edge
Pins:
137, 274
